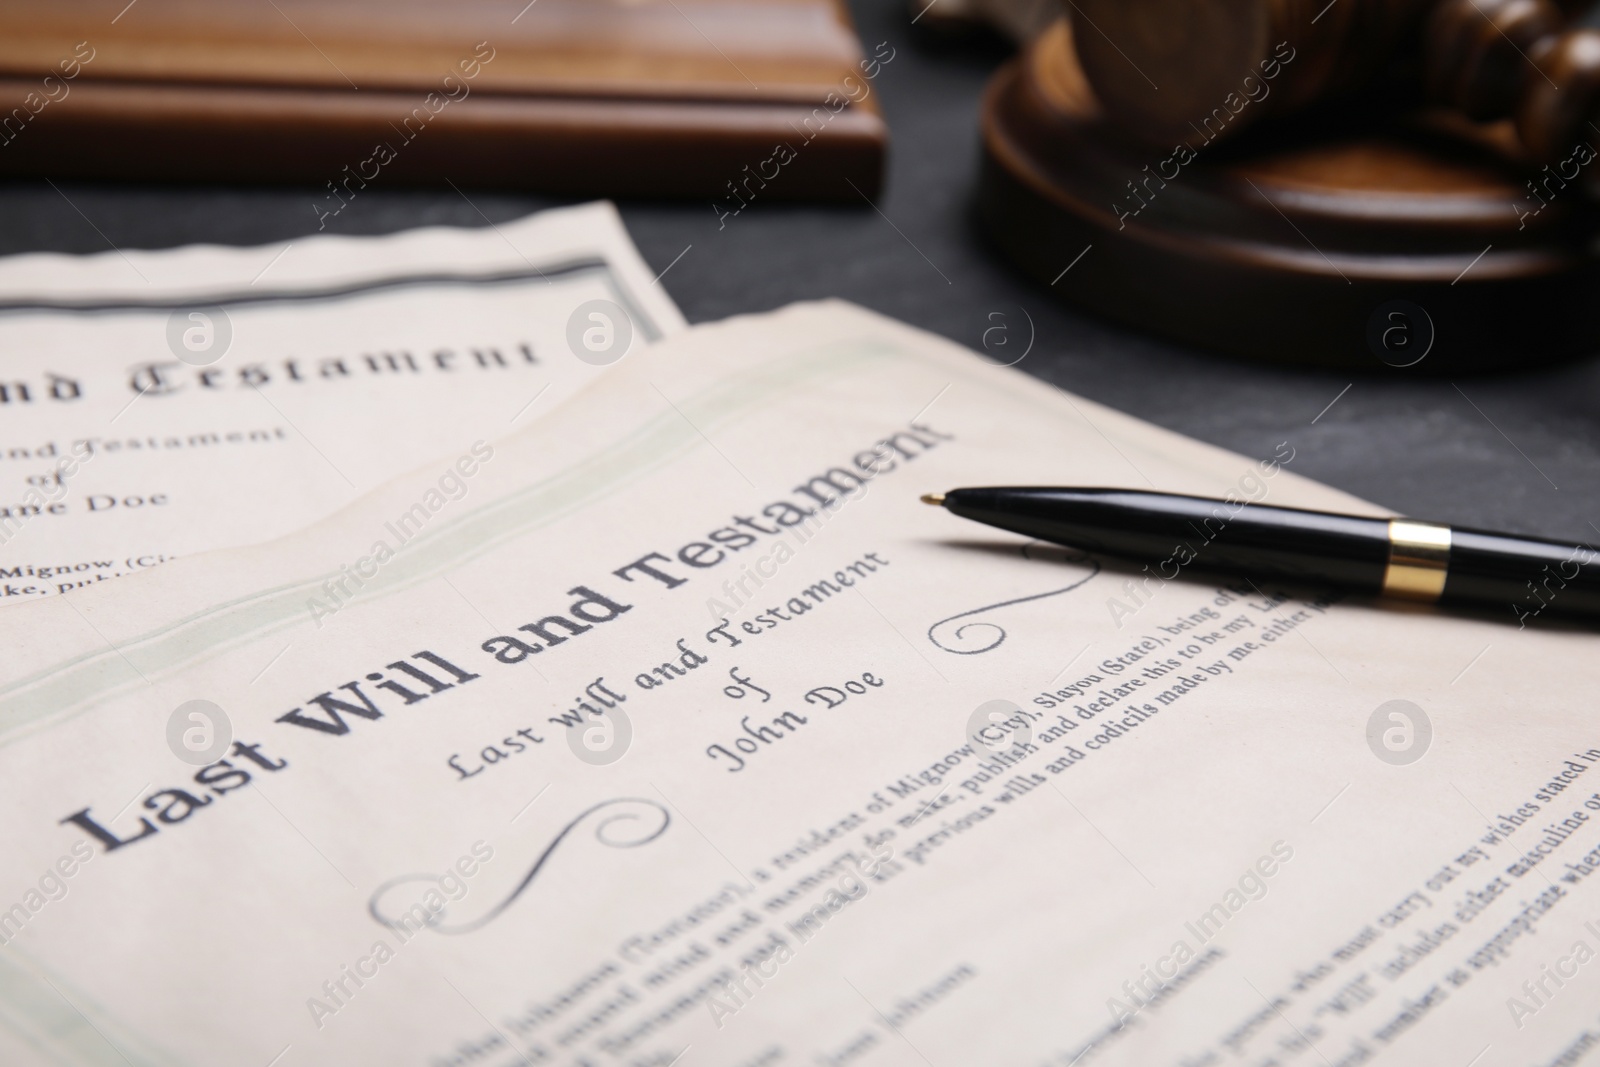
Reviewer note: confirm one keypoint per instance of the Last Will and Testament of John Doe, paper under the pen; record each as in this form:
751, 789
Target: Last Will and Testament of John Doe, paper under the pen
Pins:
689, 735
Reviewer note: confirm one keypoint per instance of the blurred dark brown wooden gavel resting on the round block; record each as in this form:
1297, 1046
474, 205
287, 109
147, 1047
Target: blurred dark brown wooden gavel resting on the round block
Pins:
1170, 70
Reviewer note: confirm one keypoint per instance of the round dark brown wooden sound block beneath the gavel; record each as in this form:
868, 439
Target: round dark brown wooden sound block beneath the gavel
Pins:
1412, 241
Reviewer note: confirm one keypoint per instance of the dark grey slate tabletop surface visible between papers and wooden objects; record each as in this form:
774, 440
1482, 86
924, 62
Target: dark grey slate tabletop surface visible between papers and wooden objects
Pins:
1511, 452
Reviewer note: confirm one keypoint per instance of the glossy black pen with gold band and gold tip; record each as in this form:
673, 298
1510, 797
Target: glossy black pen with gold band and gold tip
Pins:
1390, 557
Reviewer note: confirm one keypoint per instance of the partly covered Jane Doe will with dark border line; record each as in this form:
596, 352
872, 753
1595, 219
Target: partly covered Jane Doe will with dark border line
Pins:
156, 406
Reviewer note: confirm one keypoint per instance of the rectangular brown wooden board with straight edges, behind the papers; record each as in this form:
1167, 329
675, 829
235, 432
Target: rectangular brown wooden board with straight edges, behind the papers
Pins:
686, 98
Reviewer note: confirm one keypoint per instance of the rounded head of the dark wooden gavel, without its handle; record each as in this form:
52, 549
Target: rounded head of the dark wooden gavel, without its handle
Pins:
1164, 68
